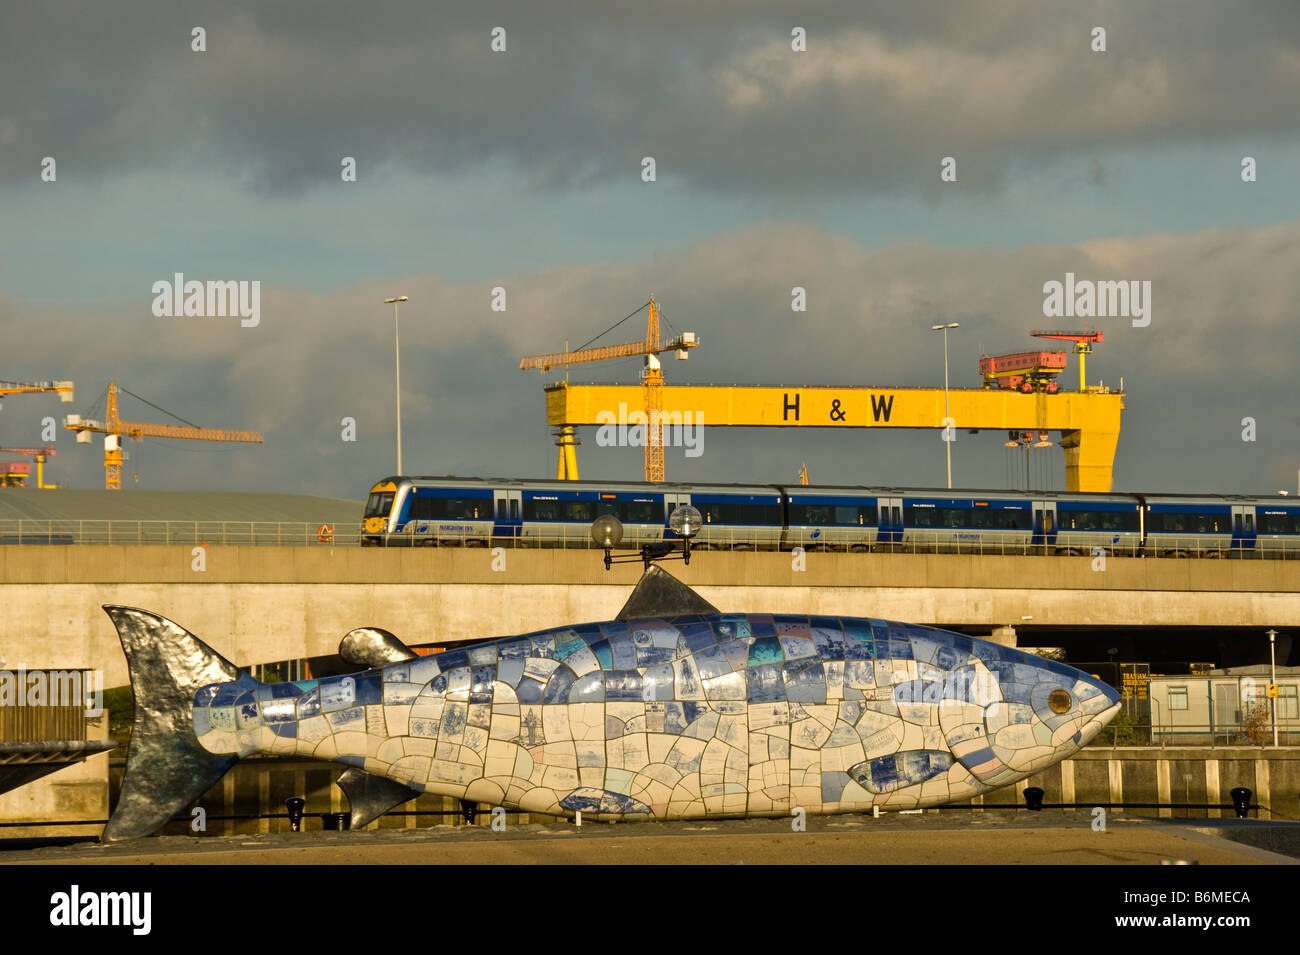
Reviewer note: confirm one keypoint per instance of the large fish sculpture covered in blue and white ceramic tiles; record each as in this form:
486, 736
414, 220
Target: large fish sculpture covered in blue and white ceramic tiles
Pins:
673, 710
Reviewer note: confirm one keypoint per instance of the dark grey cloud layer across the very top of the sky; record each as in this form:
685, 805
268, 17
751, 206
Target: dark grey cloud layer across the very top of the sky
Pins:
588, 89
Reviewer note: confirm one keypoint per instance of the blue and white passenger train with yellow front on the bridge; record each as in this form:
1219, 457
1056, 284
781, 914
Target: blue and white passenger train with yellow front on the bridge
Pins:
449, 511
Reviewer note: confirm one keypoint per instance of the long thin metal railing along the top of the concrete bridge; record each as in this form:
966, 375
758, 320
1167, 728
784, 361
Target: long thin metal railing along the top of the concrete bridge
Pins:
323, 533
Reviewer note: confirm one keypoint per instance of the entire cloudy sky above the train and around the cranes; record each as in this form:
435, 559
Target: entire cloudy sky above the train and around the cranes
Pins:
523, 170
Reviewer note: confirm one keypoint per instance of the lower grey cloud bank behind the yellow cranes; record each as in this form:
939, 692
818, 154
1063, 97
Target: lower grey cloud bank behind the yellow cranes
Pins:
1220, 348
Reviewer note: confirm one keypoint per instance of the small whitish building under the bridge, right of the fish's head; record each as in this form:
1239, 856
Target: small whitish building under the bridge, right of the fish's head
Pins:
1225, 707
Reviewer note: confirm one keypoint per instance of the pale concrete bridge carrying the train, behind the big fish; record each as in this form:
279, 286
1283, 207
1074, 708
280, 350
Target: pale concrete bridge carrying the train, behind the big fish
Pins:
263, 605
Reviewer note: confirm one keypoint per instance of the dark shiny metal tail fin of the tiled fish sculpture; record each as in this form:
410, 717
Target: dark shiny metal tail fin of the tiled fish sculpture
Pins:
166, 766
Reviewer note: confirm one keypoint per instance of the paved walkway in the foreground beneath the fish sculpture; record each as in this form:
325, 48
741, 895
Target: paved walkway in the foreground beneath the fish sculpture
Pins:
924, 840
